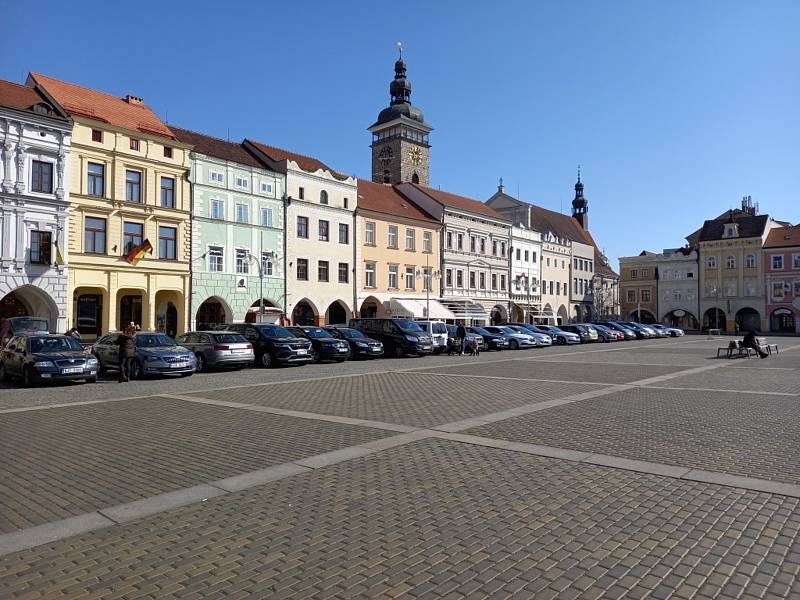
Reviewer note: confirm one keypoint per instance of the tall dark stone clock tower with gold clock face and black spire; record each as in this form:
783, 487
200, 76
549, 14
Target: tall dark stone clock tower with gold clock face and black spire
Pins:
400, 148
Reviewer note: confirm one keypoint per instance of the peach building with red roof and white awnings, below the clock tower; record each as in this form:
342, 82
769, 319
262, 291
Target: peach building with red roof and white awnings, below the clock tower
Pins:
397, 256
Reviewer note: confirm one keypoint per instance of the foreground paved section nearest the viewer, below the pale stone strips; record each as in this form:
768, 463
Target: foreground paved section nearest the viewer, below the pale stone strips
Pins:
438, 519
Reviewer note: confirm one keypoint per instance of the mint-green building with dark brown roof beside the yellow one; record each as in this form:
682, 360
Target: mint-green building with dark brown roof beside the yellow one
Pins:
237, 234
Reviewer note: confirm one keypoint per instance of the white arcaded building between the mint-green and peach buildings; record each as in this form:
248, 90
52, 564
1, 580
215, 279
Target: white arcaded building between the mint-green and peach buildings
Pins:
320, 237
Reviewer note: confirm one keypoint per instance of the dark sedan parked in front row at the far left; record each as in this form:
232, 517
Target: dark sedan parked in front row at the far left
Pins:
44, 357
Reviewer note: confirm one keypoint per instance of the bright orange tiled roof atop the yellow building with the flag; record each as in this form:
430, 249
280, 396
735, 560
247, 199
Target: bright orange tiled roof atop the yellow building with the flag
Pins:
99, 106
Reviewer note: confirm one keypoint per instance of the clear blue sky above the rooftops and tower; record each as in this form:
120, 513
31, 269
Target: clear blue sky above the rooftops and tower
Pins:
674, 109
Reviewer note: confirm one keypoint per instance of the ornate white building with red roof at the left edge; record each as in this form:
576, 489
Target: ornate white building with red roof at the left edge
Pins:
34, 202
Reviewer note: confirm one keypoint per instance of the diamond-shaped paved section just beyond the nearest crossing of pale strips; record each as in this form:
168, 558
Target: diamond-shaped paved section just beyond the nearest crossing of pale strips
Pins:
422, 400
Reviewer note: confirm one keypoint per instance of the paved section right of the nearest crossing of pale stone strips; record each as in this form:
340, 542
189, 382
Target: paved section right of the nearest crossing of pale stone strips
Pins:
742, 434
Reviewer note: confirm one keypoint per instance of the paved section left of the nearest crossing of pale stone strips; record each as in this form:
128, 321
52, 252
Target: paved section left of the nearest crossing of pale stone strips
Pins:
67, 461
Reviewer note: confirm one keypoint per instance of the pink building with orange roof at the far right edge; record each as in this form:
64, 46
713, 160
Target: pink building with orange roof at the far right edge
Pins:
782, 278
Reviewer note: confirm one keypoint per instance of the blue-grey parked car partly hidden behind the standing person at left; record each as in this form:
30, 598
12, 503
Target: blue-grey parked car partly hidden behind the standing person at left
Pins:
156, 354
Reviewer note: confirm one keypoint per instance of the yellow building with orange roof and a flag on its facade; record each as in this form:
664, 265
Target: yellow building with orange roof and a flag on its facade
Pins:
129, 191
